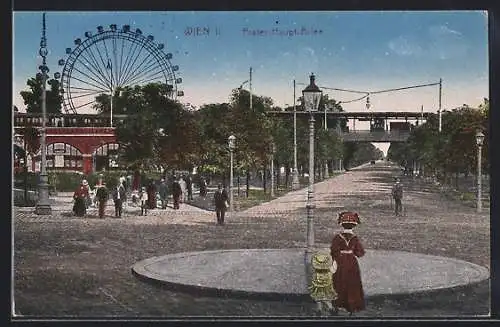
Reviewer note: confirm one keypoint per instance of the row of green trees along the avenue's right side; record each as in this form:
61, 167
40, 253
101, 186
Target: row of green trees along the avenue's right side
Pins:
451, 152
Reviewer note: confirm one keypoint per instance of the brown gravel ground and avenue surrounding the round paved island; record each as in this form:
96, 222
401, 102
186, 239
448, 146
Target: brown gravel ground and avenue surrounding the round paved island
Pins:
68, 266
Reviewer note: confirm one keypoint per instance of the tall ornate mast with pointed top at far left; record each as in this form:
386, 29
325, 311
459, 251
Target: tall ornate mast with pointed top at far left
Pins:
43, 204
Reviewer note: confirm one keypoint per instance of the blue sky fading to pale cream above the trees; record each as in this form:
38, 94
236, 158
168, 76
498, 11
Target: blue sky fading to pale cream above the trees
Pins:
365, 51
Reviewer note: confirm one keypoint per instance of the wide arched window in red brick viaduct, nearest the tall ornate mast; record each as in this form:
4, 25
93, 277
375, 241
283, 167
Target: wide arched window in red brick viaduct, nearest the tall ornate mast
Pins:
63, 155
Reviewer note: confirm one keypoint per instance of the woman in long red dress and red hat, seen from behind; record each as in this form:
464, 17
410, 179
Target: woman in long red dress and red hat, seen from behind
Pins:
345, 249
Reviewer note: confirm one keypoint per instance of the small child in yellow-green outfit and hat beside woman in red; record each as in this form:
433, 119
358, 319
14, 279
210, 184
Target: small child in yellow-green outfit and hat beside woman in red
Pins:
321, 288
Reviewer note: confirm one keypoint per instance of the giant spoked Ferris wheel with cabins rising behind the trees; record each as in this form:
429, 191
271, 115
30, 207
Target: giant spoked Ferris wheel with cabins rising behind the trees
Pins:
111, 60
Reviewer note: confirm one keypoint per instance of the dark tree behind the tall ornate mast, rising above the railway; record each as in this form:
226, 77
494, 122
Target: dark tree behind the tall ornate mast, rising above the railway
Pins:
33, 98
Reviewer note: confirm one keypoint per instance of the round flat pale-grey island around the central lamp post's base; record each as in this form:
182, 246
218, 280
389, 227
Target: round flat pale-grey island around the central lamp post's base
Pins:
280, 273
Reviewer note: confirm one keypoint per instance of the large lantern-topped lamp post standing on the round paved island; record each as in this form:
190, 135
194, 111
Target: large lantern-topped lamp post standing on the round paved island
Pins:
312, 96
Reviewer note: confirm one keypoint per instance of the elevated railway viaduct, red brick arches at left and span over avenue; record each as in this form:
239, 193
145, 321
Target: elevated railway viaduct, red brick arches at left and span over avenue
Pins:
85, 142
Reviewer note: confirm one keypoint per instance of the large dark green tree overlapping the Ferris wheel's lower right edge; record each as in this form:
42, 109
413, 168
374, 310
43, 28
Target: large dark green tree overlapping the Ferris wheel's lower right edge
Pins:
157, 131
